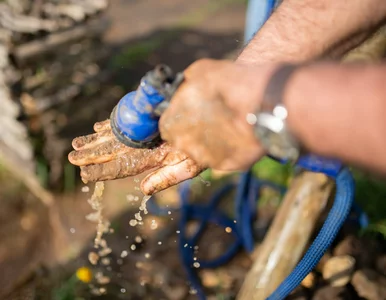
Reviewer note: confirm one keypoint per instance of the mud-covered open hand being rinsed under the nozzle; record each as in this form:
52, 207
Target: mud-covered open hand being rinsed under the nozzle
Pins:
102, 157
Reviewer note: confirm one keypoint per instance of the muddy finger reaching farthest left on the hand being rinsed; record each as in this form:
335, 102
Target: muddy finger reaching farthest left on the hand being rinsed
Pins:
99, 154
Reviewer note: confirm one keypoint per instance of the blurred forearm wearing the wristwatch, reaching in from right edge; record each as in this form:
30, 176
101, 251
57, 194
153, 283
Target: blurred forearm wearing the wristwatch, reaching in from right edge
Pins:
340, 111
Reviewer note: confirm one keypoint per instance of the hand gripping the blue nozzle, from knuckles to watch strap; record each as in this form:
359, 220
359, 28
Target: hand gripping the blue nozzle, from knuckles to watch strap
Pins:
207, 117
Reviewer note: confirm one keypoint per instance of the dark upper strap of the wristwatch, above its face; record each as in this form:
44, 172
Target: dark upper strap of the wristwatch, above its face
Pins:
274, 91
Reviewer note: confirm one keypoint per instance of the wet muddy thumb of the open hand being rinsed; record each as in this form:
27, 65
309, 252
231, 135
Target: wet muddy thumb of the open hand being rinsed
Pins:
170, 175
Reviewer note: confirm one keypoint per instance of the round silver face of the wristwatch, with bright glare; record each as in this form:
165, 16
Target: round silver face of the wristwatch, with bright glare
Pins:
274, 137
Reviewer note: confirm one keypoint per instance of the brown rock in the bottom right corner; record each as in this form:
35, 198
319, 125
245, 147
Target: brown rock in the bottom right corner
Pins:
369, 284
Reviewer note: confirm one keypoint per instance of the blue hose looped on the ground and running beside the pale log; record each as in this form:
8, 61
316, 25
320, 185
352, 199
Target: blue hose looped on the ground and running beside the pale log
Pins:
247, 193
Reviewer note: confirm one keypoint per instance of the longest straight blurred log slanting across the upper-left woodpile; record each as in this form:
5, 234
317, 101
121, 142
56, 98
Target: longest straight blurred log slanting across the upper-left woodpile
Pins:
37, 48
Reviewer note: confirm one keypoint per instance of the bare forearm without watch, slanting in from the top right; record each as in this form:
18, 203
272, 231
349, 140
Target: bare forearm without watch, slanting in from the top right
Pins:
305, 30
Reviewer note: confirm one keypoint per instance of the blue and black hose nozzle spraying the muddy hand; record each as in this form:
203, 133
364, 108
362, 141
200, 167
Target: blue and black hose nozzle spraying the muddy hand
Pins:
134, 121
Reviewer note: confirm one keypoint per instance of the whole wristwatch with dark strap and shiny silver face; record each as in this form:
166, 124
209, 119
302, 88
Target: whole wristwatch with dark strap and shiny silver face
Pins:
270, 124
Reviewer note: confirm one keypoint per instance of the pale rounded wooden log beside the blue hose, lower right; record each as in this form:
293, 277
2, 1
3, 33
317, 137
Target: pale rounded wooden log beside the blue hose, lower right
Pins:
288, 235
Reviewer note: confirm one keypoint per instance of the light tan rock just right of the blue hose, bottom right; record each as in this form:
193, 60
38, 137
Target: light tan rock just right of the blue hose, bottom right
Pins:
338, 270
